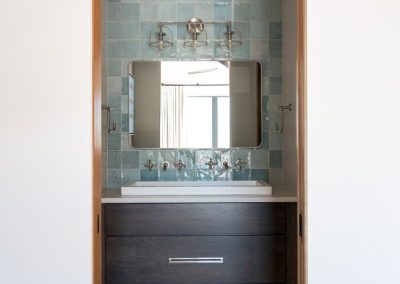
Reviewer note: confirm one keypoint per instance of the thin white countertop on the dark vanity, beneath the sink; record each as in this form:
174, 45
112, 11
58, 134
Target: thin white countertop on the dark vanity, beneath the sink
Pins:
113, 195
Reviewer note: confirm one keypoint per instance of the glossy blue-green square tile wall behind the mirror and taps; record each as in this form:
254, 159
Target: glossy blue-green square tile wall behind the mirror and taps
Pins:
128, 24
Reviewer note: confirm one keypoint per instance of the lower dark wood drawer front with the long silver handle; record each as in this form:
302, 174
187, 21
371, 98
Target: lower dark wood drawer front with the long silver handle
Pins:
246, 259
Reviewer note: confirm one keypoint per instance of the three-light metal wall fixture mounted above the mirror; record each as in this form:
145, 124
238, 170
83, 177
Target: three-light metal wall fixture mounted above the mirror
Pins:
196, 35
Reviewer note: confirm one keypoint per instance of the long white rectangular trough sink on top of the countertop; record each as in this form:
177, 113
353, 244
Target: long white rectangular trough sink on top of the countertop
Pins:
250, 187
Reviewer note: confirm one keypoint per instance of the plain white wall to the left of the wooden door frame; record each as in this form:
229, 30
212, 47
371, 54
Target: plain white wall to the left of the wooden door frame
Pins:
45, 141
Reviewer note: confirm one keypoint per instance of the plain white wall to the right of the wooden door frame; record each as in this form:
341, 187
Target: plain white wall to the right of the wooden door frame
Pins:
354, 141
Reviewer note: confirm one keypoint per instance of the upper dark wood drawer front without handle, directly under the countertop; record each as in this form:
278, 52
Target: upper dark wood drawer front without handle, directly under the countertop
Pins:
194, 219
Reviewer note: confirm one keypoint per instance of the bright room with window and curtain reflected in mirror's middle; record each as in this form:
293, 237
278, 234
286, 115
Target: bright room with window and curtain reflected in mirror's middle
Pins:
194, 100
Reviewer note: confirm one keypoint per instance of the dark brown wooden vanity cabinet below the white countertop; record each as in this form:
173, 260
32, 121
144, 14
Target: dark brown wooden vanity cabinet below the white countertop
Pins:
200, 243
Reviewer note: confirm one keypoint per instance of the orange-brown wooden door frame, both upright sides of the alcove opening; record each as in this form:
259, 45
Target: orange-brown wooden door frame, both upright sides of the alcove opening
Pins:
301, 138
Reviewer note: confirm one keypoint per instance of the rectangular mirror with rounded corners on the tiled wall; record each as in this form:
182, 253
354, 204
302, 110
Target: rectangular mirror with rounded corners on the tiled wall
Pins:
195, 104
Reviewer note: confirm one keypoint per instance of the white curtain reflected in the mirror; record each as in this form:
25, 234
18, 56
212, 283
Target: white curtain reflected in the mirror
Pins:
171, 119
